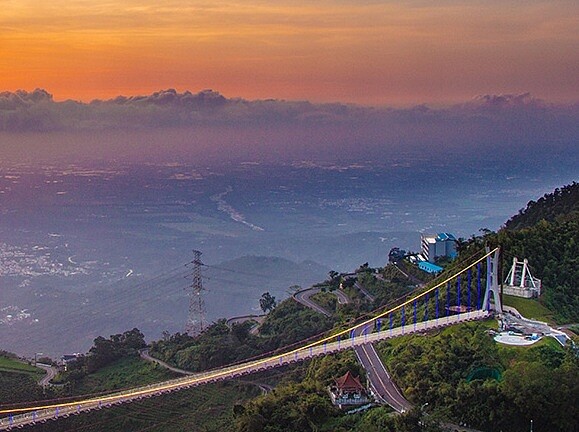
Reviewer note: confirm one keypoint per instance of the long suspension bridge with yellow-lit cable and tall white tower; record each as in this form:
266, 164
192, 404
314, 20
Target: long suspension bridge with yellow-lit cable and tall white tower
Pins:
469, 294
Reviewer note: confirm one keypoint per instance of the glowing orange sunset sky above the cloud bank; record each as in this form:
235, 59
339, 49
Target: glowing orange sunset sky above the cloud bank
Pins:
369, 52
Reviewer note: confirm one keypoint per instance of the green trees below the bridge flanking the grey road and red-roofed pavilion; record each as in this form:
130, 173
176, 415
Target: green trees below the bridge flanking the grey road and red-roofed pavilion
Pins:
460, 374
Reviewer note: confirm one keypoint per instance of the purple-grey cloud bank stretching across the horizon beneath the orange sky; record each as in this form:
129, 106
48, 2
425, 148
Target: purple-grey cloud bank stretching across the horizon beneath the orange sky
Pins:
276, 129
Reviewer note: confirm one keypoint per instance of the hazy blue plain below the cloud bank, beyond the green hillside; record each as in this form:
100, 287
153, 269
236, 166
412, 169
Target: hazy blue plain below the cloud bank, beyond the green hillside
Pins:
88, 250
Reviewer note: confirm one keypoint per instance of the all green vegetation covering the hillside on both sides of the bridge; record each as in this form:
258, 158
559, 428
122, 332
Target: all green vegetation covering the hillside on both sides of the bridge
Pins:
460, 374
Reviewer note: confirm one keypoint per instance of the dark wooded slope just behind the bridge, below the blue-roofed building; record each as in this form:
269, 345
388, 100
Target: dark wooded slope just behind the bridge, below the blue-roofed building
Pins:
288, 323
